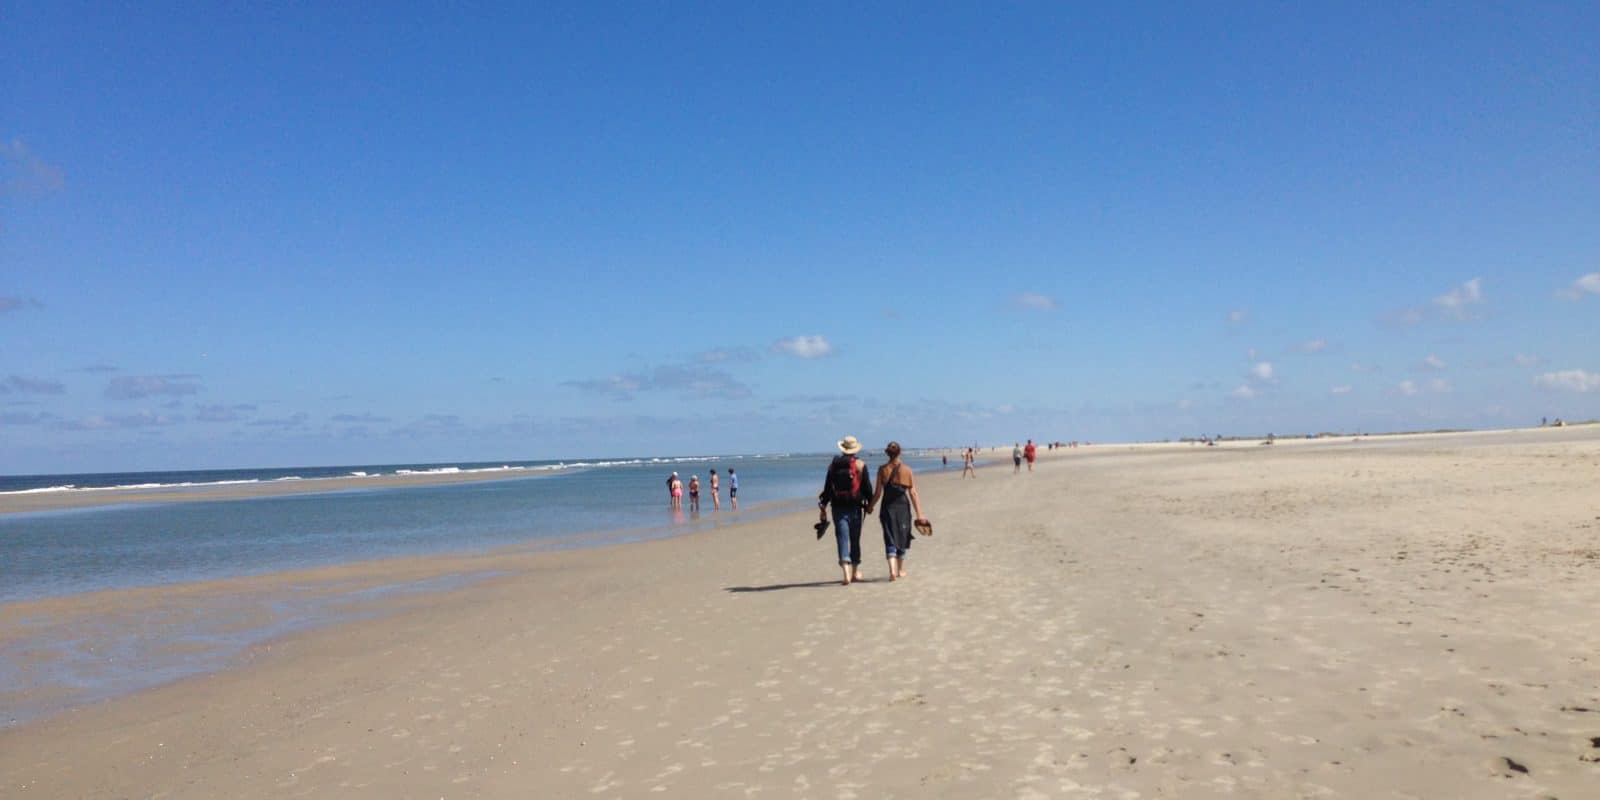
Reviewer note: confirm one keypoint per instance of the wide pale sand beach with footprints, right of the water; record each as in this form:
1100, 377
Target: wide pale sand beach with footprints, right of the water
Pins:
1406, 617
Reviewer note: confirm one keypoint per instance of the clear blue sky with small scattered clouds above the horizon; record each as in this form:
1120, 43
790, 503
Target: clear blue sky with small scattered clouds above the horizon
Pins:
247, 234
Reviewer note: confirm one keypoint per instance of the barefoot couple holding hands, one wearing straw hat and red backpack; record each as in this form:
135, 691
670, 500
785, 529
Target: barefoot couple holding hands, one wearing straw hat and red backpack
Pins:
849, 494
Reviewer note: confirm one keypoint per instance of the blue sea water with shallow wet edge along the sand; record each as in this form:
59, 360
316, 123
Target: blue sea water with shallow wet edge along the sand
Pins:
537, 505
